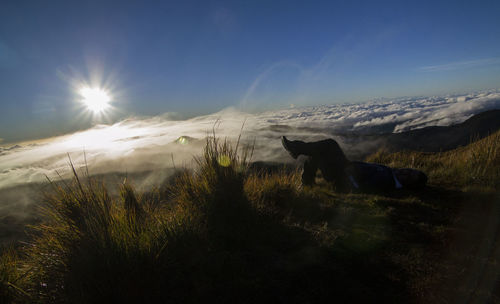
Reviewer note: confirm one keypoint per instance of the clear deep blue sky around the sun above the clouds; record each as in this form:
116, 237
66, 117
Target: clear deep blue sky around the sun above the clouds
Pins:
195, 57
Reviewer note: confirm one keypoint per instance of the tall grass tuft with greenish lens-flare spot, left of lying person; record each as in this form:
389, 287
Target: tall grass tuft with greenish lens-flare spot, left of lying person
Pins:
213, 195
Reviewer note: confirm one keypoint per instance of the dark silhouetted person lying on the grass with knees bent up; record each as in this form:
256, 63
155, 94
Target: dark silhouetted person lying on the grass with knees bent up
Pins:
327, 156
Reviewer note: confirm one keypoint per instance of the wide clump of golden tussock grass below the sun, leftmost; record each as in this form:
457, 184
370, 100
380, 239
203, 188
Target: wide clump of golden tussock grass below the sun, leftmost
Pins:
92, 246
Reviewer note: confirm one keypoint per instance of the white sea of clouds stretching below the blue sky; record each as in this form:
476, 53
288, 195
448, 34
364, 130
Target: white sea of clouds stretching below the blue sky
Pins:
152, 144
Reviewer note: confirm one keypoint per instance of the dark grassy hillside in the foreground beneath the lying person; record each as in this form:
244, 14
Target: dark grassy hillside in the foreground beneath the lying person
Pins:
228, 233
